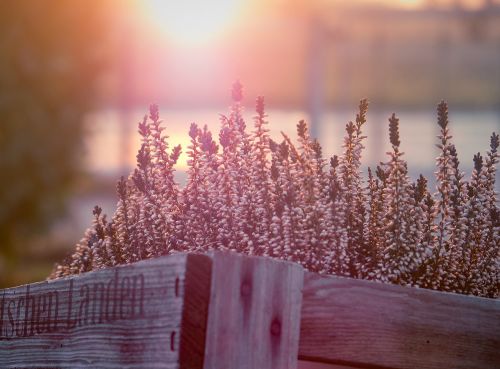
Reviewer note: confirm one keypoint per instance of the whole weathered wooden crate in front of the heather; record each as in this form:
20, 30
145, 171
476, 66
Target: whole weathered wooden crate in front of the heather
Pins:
228, 311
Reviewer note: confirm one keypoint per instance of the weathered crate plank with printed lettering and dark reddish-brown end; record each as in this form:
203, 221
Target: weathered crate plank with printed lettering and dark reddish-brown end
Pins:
123, 317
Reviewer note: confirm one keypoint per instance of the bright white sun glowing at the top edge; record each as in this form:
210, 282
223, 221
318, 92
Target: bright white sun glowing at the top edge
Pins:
192, 22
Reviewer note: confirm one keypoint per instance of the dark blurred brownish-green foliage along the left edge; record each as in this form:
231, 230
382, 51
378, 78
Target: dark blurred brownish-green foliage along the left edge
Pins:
51, 55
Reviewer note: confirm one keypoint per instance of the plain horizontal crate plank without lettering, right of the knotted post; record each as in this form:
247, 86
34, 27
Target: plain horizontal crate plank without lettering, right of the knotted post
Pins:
371, 325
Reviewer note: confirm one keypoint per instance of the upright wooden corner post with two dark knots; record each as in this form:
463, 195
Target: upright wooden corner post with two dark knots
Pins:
254, 313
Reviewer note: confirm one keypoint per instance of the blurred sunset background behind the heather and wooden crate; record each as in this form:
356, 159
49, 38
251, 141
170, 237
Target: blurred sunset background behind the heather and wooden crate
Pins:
77, 75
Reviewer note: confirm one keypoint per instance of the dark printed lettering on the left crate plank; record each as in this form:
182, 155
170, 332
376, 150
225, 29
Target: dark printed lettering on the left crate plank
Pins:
31, 313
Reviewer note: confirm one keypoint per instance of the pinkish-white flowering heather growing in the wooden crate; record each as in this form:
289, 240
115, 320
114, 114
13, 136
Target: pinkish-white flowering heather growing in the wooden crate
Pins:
250, 194
